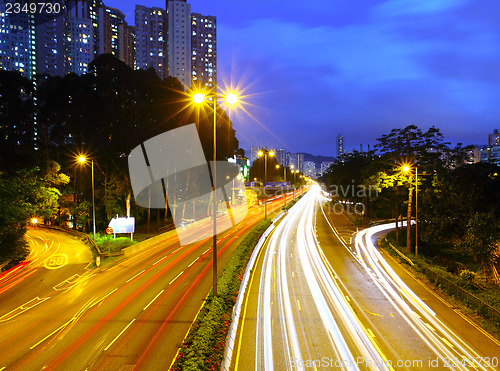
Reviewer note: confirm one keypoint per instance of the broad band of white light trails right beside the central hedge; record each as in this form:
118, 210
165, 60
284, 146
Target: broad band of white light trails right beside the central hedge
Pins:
282, 329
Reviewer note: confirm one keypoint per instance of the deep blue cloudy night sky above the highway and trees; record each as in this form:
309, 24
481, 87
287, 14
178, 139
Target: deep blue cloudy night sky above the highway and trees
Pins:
314, 69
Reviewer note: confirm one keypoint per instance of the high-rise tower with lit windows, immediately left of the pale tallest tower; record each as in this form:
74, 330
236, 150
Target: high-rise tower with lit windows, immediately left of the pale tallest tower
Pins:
150, 39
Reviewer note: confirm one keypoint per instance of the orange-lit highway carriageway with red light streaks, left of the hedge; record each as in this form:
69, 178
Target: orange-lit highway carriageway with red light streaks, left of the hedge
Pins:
133, 314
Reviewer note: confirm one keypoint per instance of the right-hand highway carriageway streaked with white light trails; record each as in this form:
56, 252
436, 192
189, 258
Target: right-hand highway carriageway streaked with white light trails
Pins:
314, 302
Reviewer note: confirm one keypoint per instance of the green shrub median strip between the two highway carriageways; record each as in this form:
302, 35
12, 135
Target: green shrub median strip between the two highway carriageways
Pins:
203, 347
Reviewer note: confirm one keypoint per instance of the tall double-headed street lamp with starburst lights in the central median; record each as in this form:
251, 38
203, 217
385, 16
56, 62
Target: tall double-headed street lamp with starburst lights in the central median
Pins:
230, 98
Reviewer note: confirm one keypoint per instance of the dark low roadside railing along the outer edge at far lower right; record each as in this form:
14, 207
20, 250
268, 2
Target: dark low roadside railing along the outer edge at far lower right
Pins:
471, 300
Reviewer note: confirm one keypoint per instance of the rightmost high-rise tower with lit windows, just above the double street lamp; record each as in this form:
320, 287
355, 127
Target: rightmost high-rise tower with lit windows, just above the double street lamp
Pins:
204, 50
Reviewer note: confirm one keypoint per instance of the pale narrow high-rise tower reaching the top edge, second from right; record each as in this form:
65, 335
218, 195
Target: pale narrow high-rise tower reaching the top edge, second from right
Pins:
179, 40
